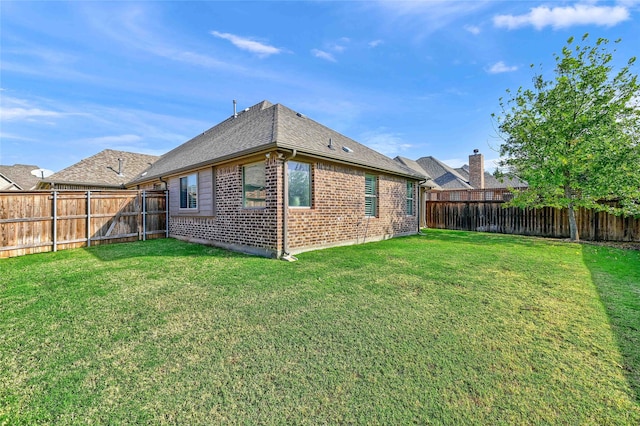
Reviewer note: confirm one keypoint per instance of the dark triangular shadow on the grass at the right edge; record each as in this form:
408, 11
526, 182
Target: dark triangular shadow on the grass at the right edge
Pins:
616, 274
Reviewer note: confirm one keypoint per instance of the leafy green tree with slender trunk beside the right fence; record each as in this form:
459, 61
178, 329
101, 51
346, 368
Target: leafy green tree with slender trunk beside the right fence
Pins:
575, 139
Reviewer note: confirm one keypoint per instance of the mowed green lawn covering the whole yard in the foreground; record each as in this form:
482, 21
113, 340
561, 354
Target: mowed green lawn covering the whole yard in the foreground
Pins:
443, 328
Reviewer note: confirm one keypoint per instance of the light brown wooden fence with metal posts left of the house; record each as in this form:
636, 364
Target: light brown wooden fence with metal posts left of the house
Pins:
40, 221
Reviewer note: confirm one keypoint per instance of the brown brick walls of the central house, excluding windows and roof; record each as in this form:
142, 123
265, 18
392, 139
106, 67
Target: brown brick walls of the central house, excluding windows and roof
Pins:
336, 216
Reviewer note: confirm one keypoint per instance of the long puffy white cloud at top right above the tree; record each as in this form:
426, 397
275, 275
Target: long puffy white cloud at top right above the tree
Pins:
564, 17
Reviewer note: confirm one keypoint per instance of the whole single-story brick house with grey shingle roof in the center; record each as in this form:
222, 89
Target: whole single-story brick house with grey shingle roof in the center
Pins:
272, 182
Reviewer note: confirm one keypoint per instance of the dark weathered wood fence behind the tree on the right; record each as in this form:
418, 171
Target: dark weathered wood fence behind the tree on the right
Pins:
482, 210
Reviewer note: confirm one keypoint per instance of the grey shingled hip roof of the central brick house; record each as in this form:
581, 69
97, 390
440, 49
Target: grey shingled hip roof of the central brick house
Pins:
267, 126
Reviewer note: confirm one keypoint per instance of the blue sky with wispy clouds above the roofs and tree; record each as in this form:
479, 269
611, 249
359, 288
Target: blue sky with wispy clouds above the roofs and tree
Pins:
410, 78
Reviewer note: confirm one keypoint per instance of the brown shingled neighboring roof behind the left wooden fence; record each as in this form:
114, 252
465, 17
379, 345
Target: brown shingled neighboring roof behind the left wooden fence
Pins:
107, 169
